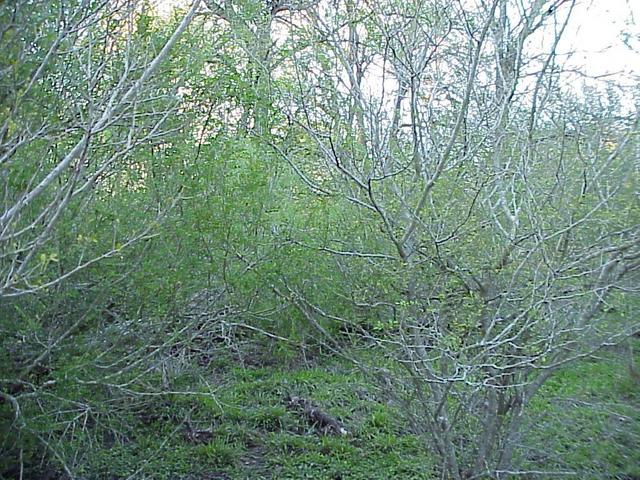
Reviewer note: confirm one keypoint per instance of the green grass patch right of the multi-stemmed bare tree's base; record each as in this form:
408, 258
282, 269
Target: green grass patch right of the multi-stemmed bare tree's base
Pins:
587, 417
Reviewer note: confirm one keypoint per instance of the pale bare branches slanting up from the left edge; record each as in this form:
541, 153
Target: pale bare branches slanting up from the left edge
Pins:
76, 98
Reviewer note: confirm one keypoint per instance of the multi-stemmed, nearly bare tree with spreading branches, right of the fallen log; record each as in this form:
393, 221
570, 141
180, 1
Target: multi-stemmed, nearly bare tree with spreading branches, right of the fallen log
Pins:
505, 203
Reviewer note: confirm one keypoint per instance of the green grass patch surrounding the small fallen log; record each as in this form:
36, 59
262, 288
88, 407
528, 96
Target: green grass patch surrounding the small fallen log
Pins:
255, 435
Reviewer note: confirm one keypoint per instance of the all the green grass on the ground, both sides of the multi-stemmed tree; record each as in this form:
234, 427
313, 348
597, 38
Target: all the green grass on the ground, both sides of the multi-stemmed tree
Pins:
586, 419
